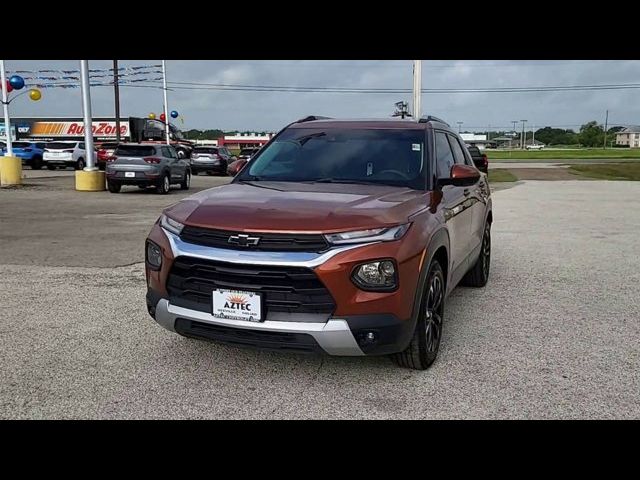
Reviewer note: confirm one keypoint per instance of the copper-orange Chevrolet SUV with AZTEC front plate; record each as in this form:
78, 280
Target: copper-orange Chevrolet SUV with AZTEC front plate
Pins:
339, 236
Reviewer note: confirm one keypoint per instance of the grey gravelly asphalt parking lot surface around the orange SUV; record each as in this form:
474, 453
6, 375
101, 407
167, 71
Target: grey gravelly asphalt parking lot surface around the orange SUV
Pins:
555, 333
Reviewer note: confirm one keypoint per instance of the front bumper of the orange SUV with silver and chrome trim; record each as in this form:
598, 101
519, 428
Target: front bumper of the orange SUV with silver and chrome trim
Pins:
348, 330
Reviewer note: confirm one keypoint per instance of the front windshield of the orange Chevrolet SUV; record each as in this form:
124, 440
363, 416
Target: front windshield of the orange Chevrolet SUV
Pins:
336, 155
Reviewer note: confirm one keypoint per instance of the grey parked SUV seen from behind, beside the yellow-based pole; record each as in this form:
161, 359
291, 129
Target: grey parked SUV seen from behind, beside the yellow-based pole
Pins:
147, 165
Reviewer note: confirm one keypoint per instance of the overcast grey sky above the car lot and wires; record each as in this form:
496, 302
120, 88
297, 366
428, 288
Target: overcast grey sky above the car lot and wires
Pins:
241, 110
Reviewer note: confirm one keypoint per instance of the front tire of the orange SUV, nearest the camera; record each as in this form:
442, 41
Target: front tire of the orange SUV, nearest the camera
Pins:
423, 348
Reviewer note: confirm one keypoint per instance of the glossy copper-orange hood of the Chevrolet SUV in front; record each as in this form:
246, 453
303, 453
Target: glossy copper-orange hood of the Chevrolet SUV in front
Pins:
295, 207
